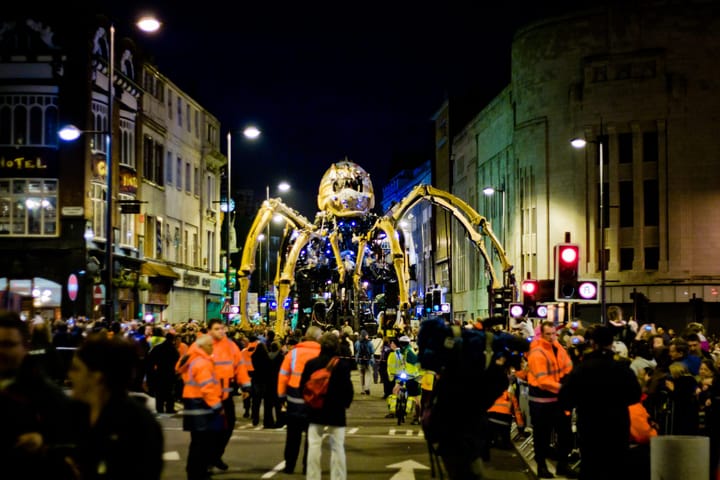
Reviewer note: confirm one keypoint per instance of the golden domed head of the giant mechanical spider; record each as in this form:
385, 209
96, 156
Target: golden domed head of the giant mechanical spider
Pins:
346, 190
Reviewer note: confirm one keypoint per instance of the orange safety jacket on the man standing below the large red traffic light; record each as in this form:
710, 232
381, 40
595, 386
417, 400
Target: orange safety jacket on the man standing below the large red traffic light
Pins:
546, 368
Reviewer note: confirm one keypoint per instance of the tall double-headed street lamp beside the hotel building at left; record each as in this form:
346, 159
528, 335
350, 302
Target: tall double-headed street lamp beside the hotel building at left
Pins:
70, 133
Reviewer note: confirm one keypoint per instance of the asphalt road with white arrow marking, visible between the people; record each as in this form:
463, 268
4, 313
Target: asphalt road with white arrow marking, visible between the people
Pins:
376, 448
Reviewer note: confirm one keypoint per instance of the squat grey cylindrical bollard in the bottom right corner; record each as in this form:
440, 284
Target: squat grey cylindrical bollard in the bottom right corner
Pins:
679, 457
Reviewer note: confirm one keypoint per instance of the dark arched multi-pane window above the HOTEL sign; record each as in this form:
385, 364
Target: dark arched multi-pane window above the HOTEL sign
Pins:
28, 120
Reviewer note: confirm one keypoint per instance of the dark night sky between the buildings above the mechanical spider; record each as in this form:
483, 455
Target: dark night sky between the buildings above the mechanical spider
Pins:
325, 81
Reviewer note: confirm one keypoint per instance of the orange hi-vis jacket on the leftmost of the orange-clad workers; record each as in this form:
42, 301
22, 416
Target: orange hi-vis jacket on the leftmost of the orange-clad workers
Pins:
198, 373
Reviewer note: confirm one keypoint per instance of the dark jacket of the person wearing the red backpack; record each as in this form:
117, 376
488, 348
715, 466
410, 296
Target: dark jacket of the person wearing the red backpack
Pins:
339, 396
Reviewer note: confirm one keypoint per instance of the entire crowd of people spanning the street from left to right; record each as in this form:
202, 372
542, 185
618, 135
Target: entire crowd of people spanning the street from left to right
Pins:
624, 382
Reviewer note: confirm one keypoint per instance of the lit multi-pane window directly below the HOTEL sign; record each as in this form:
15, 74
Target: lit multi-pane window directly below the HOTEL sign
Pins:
28, 207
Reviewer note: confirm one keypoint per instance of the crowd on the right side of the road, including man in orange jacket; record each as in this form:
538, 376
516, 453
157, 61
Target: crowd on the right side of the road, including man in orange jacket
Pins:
622, 384
